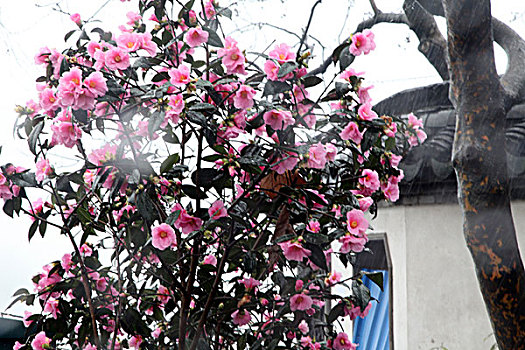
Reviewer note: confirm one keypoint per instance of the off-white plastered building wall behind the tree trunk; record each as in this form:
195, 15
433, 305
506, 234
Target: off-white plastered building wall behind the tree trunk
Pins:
437, 301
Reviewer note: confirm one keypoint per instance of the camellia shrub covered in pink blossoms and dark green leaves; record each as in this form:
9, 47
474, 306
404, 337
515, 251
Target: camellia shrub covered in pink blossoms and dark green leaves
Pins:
212, 189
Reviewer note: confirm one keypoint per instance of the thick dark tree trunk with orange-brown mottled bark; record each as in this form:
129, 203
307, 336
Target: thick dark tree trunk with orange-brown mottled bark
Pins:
480, 161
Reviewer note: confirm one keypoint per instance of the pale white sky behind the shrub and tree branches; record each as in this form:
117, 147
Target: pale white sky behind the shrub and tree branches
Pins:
27, 25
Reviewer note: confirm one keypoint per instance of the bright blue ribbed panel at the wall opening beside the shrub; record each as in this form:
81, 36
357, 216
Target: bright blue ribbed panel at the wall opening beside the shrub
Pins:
372, 332
